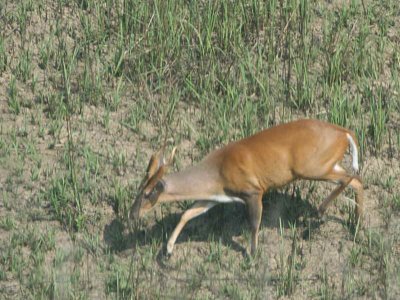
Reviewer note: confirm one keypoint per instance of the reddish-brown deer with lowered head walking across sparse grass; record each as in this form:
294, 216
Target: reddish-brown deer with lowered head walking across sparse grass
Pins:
243, 171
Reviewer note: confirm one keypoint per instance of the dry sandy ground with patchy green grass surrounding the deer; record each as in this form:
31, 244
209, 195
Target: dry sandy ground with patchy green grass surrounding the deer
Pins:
89, 89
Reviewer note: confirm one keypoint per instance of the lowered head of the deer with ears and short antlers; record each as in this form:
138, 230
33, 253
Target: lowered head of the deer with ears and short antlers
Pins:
152, 184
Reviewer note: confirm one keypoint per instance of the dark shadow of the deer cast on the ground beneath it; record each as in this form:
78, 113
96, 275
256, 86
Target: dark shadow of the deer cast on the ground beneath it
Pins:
223, 222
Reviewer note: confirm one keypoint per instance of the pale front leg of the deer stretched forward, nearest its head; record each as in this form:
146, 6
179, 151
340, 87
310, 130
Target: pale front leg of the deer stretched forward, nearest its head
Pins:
198, 208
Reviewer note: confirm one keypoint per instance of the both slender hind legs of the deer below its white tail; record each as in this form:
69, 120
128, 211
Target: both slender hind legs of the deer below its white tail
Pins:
338, 174
